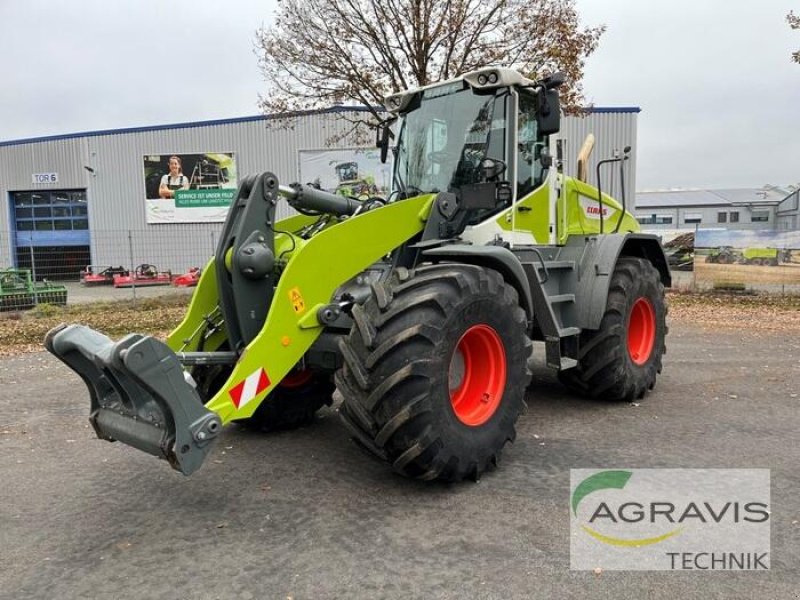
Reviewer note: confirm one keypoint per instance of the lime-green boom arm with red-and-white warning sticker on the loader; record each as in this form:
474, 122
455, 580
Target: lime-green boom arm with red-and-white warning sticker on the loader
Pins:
301, 305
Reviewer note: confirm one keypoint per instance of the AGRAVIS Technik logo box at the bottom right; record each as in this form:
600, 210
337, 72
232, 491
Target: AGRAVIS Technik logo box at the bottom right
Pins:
670, 519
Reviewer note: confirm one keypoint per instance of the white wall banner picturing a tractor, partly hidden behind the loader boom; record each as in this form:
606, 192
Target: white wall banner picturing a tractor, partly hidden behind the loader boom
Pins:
354, 172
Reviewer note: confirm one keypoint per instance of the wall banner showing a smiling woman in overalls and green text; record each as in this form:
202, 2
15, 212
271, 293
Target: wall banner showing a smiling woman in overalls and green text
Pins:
189, 188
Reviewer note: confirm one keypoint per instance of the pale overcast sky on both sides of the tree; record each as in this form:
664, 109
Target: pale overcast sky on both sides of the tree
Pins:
720, 98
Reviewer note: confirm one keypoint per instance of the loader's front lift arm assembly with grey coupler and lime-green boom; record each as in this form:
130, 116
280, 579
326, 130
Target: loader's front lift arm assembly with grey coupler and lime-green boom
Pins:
140, 395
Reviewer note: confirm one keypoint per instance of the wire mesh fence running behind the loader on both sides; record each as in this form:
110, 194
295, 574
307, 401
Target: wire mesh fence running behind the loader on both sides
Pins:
49, 268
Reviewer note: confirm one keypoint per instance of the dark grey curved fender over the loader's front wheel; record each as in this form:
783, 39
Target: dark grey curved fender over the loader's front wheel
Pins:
492, 257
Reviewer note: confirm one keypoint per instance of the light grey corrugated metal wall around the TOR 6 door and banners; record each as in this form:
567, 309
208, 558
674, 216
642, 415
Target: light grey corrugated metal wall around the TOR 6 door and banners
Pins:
116, 189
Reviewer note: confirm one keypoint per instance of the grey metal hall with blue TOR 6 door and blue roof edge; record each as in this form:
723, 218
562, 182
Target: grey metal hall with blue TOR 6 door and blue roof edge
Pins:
99, 197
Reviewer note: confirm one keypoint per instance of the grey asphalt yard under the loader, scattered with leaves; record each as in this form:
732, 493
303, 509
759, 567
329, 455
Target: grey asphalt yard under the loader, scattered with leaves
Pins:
306, 514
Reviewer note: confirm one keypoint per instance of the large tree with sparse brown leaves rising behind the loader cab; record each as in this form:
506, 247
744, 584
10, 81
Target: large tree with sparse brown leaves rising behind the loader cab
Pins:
324, 52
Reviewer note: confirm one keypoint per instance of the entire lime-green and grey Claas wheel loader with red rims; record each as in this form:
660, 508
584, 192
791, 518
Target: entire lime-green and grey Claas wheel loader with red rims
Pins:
416, 313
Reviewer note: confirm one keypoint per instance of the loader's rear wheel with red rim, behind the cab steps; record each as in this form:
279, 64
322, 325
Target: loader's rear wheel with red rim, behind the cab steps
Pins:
614, 363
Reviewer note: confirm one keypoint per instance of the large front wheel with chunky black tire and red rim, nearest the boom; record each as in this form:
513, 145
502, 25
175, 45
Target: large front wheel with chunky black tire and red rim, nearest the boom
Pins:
403, 396
